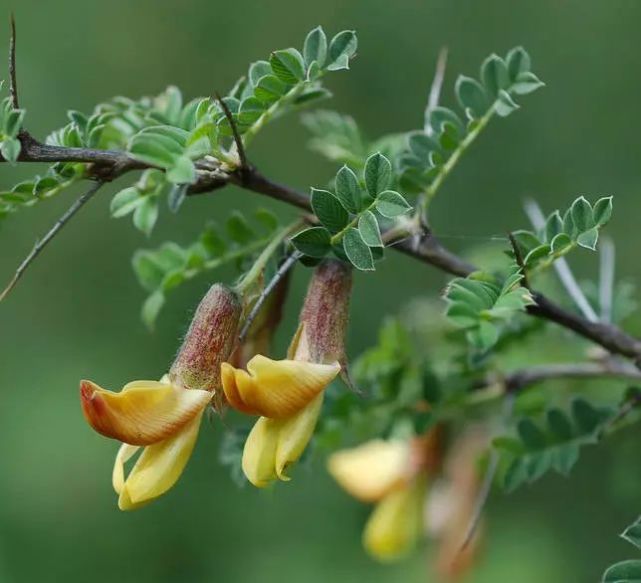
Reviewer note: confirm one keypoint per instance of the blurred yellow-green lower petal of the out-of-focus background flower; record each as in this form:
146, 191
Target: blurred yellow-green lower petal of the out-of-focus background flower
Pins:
396, 523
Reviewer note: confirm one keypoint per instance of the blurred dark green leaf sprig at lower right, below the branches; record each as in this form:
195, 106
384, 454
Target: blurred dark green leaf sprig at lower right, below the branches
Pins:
553, 445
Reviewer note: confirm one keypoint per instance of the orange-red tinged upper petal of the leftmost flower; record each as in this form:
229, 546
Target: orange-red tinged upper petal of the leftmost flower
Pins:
144, 412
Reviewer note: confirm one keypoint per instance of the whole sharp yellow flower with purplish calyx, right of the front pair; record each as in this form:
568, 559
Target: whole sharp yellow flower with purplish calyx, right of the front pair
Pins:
288, 394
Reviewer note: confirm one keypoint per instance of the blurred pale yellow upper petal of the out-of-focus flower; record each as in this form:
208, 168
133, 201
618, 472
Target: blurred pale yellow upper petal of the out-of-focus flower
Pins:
368, 472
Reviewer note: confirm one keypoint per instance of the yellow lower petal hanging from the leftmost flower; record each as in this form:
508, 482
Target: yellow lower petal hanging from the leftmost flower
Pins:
159, 467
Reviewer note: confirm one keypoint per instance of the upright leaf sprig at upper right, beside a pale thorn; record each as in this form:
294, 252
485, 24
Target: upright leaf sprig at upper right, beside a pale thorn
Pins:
446, 134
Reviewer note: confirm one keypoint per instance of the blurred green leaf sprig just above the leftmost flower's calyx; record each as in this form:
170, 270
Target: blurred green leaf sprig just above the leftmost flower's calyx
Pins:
163, 269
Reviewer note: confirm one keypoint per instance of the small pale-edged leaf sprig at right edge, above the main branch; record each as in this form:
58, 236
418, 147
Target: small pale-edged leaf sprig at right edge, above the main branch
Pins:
579, 226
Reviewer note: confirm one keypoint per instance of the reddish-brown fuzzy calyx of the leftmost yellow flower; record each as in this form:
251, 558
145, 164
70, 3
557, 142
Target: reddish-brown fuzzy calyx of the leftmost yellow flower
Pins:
209, 340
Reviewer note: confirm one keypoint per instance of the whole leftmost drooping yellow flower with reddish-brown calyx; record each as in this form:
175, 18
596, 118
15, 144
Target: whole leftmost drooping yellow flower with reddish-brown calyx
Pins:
164, 416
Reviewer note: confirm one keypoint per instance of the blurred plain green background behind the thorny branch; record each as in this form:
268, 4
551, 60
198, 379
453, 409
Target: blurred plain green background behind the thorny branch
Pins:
76, 312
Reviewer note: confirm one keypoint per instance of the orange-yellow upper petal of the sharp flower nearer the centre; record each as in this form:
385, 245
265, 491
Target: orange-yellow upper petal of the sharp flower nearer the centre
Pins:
276, 388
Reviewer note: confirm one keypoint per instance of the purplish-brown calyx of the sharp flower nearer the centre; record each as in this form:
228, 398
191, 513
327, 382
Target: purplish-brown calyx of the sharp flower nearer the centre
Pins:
325, 314
